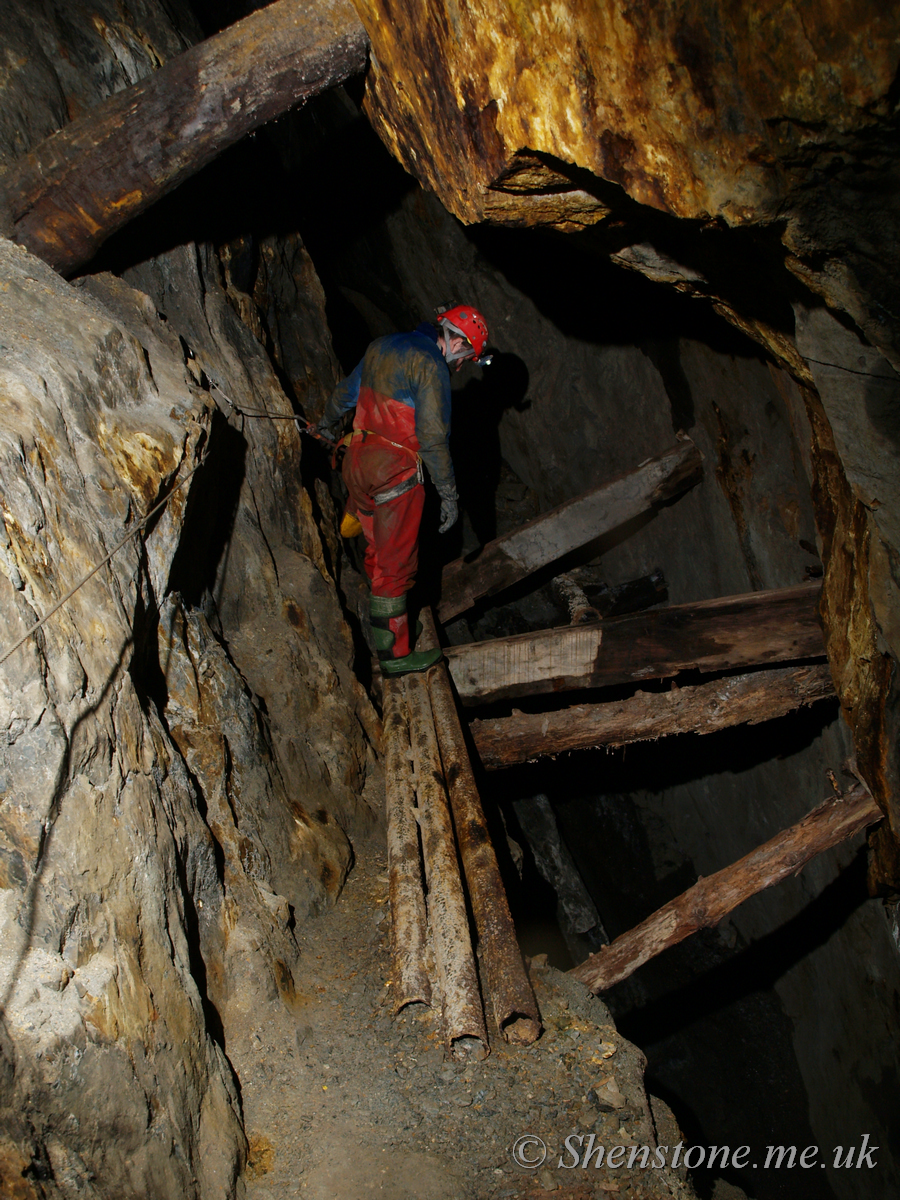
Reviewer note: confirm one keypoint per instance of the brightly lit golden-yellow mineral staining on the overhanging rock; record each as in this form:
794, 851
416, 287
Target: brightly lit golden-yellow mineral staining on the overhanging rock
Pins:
634, 94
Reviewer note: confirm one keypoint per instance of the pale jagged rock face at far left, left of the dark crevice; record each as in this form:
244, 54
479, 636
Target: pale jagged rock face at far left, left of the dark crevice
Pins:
105, 854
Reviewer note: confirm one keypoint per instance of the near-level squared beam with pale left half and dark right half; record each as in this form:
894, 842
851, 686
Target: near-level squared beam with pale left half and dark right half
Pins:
715, 635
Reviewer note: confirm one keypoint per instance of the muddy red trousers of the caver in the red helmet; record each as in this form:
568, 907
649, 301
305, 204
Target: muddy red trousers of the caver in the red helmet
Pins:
392, 530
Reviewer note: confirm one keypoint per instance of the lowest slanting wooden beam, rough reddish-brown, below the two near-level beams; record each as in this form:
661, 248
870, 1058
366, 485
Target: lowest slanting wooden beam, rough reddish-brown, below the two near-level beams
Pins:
717, 896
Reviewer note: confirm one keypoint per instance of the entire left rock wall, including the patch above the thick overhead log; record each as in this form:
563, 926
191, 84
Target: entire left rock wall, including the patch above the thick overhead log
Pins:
187, 752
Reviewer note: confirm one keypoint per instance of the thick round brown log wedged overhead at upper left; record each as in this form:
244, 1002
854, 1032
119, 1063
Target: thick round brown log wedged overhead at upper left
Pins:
79, 187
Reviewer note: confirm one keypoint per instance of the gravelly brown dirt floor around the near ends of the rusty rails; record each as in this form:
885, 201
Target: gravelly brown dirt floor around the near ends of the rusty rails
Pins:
367, 1103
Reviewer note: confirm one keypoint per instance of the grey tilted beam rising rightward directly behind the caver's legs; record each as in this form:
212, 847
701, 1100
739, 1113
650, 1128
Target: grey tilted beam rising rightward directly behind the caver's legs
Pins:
575, 524
